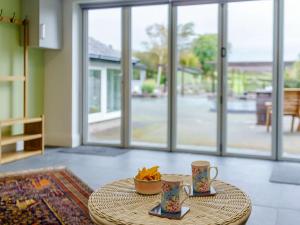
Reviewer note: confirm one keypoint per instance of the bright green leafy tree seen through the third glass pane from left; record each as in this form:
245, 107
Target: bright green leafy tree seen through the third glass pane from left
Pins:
205, 48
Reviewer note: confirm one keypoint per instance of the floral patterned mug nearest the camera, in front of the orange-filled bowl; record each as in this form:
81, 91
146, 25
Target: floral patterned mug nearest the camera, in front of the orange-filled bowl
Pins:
172, 189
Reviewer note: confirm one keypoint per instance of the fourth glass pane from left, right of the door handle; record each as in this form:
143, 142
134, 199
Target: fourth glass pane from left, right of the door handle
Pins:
249, 96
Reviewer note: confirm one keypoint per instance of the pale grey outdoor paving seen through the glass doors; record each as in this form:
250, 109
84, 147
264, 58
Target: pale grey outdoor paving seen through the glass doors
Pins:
197, 126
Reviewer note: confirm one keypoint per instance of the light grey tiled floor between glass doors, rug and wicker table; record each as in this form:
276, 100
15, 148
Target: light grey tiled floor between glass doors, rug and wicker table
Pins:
273, 204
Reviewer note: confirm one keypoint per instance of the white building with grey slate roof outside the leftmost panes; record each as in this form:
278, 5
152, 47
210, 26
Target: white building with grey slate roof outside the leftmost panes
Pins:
105, 80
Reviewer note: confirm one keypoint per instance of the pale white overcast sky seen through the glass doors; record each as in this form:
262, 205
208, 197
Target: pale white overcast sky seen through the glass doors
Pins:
250, 26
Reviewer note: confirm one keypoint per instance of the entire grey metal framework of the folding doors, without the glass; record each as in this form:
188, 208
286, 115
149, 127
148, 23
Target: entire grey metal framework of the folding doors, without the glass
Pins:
277, 96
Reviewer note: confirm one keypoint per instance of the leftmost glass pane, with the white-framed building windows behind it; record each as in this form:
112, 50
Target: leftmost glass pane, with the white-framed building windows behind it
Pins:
104, 81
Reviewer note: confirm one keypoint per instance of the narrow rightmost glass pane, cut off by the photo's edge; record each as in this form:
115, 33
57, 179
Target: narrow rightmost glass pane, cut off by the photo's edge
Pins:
291, 105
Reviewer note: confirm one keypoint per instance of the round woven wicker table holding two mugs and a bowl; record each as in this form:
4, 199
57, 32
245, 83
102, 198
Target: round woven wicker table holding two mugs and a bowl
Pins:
118, 203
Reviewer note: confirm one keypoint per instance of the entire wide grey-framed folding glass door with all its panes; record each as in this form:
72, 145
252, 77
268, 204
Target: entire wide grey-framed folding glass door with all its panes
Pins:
221, 62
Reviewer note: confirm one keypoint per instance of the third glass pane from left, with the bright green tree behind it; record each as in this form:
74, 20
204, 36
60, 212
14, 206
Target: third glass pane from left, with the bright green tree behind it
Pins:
197, 77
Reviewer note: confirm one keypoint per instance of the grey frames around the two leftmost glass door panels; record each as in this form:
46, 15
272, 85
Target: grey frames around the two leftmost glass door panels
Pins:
126, 65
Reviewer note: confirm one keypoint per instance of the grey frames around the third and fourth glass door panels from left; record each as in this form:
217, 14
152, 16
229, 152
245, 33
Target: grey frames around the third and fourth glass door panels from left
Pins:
222, 126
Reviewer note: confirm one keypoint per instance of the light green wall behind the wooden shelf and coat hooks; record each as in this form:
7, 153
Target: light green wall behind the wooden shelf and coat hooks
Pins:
11, 63
